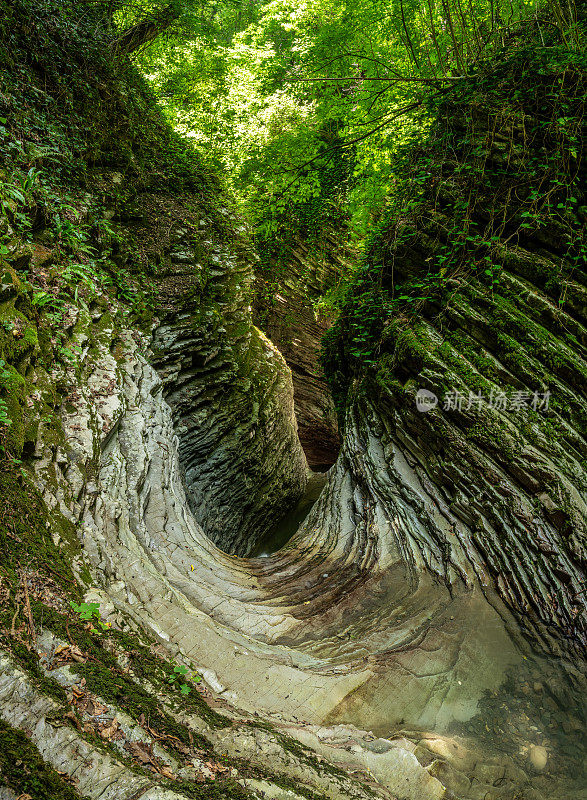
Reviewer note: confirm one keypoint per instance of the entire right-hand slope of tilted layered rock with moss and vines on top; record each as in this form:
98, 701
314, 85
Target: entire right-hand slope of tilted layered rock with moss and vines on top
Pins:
474, 290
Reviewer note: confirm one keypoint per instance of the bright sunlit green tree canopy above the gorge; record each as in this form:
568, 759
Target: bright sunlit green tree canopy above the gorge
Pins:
304, 104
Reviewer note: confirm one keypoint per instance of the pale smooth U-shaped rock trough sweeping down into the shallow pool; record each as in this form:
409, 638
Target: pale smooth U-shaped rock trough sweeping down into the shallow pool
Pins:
344, 625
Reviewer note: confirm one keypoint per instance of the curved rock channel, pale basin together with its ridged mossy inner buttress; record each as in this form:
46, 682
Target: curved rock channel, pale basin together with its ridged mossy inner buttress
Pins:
345, 636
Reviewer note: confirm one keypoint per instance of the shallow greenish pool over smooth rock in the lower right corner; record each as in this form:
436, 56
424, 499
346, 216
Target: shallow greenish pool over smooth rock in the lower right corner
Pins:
484, 703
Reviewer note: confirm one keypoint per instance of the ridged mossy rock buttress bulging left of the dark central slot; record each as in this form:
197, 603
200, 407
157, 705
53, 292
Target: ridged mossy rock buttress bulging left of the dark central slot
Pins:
227, 384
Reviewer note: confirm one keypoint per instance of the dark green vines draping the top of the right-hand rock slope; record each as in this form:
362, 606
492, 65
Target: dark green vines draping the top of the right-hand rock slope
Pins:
453, 220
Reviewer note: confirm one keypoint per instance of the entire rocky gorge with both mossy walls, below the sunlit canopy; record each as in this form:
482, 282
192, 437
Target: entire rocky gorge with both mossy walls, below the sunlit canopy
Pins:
166, 414
